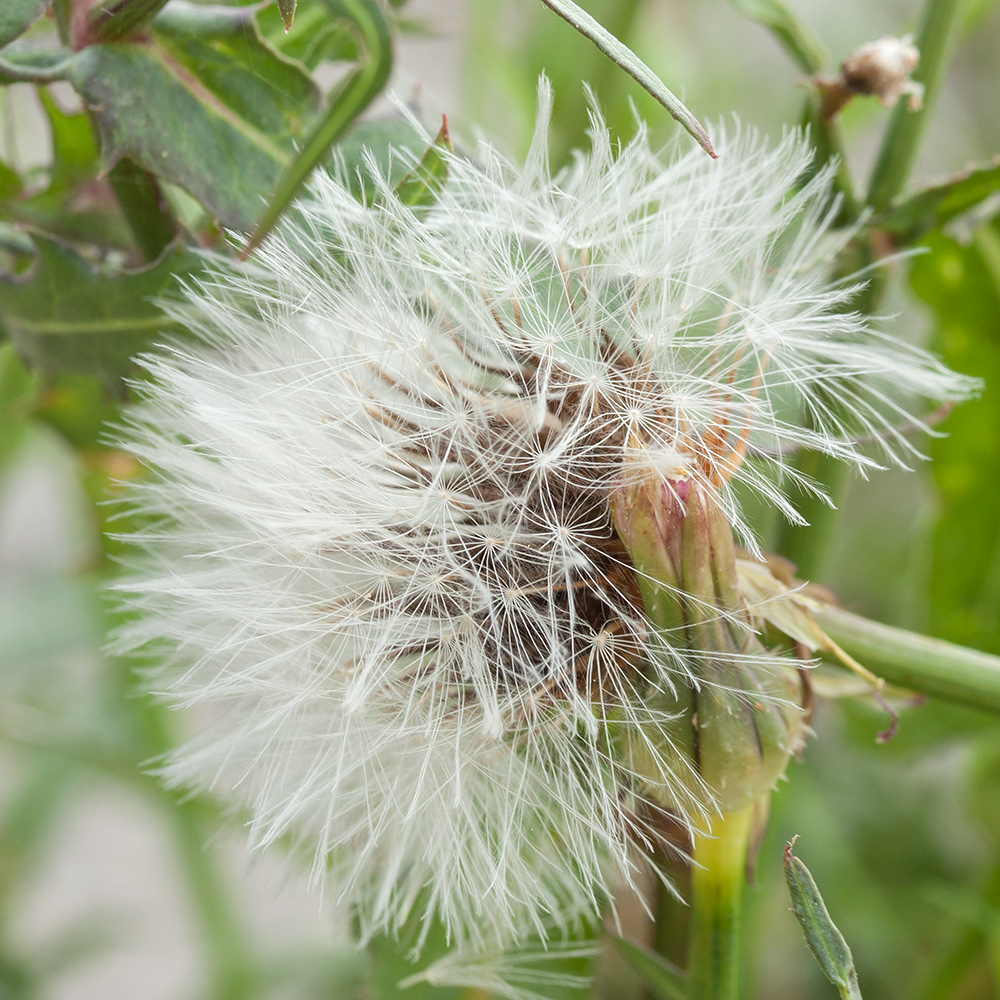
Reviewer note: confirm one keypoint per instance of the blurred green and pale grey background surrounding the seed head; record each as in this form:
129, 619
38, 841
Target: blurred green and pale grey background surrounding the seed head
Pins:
109, 888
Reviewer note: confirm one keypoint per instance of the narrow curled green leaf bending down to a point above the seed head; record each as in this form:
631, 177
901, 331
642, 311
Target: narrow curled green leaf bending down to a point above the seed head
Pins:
354, 93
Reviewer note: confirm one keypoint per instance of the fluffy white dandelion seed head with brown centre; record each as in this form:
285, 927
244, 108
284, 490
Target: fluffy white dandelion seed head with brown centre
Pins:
378, 533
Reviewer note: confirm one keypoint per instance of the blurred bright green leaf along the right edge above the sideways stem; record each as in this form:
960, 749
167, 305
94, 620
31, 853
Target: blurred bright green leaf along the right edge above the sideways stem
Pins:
961, 284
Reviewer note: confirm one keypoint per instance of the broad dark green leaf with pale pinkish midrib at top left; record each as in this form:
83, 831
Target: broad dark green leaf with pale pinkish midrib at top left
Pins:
207, 106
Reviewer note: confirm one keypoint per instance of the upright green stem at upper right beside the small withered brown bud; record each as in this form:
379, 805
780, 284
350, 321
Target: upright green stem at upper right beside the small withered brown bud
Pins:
899, 147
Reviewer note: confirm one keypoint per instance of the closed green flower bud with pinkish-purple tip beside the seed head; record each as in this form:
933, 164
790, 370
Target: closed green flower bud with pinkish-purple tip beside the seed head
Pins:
738, 718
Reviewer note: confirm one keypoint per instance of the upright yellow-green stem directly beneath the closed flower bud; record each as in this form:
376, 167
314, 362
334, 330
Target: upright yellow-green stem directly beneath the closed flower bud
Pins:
716, 902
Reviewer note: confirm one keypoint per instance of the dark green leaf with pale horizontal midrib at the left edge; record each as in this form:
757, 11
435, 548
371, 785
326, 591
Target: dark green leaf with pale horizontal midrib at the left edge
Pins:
65, 316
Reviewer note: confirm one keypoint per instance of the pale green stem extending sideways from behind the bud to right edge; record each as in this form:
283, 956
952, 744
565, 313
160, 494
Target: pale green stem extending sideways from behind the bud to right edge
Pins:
931, 666
